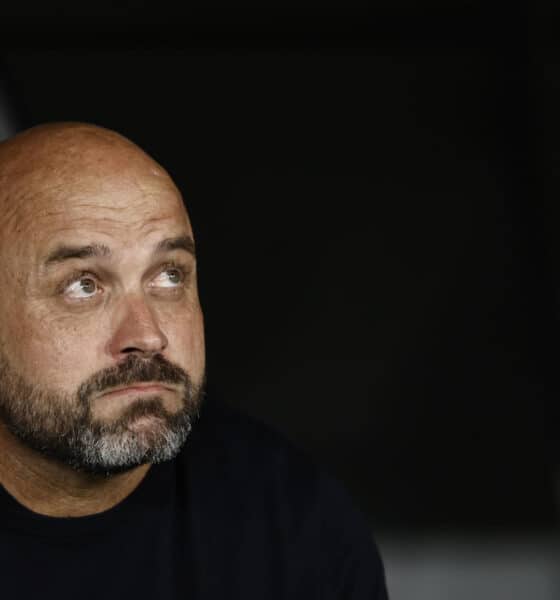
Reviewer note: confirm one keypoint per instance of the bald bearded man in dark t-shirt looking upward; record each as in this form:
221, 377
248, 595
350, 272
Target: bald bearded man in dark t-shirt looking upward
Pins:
106, 492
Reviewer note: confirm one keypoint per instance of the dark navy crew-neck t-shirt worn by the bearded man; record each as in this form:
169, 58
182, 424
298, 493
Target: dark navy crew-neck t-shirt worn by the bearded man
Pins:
239, 514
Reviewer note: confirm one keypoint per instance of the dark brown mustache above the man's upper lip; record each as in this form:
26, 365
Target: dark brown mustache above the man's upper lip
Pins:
134, 370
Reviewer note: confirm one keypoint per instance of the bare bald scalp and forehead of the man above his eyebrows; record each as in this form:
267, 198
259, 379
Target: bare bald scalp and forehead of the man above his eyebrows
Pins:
82, 185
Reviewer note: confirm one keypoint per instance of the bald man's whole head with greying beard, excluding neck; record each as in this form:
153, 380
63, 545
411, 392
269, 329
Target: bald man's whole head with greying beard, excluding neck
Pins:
101, 332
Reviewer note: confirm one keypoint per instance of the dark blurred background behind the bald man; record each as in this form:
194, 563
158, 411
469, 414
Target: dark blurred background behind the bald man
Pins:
373, 188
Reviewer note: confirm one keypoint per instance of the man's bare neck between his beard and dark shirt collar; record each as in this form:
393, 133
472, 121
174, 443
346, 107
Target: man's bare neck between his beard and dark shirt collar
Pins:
50, 488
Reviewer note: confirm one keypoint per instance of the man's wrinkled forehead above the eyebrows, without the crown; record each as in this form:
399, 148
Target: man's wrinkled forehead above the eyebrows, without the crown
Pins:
126, 205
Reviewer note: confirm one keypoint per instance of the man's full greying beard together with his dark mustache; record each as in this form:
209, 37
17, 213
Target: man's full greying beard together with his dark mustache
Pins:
61, 426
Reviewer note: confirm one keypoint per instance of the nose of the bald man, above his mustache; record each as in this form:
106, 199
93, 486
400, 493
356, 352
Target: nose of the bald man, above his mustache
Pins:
137, 330
